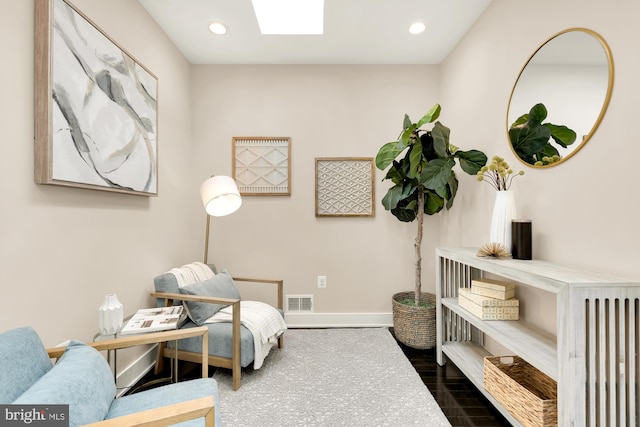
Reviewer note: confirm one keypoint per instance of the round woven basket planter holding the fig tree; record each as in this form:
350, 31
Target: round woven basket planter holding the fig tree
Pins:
415, 326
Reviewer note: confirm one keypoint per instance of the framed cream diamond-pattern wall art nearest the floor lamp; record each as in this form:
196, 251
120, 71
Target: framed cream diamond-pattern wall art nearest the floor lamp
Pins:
261, 165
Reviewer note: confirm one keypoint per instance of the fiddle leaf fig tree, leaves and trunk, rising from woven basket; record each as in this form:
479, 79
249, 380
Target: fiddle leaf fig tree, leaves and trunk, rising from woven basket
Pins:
424, 179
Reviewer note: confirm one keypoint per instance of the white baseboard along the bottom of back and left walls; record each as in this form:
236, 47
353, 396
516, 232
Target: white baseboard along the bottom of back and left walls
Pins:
130, 375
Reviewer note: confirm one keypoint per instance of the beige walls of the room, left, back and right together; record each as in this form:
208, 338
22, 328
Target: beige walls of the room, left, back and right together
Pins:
63, 249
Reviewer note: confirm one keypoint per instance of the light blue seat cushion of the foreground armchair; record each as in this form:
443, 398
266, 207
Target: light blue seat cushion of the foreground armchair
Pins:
167, 395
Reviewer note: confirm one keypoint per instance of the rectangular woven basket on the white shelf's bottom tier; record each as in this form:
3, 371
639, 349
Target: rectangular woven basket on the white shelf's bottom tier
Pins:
528, 394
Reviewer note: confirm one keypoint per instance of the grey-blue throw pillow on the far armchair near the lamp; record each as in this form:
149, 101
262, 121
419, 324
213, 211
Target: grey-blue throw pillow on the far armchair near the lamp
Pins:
221, 285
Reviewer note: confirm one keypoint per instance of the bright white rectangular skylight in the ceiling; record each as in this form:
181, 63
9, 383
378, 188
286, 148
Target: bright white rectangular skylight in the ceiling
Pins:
287, 17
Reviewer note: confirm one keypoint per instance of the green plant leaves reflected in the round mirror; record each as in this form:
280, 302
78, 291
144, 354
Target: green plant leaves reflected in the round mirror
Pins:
533, 140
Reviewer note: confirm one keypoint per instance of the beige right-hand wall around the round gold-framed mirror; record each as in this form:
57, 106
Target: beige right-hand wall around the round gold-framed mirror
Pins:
585, 211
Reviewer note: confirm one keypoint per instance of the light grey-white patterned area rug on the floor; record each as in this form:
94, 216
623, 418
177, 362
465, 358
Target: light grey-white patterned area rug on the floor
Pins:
330, 377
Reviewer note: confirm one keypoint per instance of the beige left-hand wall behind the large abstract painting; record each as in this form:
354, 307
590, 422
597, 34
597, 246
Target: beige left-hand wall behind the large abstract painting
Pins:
63, 249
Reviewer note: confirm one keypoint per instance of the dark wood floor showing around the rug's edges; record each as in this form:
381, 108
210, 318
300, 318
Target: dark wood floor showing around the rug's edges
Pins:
460, 401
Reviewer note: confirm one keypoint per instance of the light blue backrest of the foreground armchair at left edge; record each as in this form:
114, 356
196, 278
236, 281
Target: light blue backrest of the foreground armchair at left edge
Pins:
23, 360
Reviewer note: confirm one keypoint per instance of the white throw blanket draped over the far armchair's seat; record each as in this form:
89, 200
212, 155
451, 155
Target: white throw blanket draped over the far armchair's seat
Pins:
264, 321
